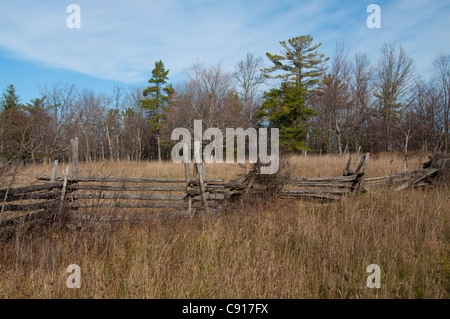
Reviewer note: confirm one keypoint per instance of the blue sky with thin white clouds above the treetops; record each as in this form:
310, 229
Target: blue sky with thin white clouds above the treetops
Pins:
119, 41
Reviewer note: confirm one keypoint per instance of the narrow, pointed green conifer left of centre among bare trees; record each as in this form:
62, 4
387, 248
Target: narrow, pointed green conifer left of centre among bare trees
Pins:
156, 100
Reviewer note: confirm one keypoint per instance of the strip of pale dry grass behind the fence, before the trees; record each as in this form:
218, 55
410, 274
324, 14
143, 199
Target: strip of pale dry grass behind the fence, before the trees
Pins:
312, 165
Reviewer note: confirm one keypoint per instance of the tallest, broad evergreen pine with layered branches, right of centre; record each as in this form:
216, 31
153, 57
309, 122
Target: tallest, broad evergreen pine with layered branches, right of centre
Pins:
299, 68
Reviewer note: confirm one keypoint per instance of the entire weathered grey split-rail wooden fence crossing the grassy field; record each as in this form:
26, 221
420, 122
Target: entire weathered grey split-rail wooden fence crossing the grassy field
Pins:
191, 194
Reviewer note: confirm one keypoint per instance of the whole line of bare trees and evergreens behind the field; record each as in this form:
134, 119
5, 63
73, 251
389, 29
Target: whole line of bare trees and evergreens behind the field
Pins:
320, 104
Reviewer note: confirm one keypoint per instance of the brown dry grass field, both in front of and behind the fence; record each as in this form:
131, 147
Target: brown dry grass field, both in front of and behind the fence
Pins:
283, 249
